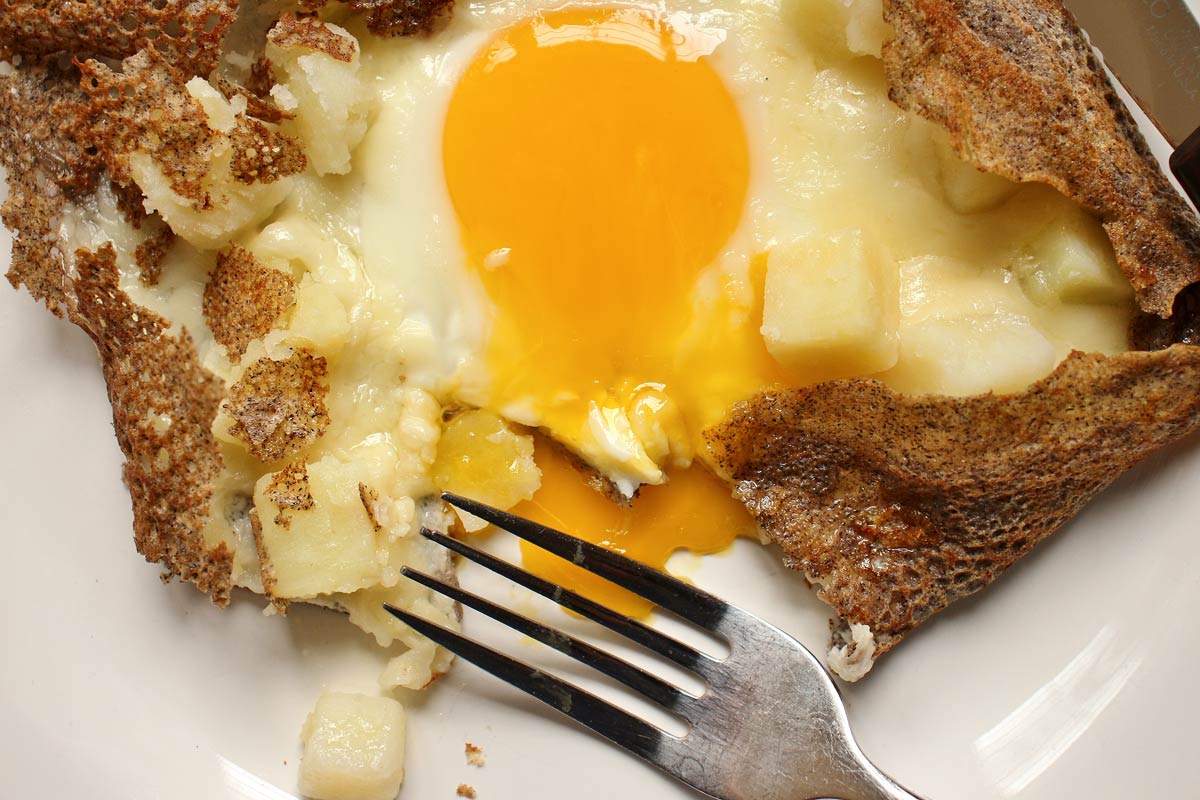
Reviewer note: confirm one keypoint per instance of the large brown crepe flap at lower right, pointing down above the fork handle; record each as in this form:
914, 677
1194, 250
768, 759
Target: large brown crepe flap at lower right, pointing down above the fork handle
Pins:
898, 507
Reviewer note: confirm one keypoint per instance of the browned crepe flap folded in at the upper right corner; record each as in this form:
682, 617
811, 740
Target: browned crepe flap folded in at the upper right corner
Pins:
1021, 92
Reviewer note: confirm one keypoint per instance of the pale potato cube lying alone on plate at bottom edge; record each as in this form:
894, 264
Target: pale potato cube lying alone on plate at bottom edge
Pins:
353, 749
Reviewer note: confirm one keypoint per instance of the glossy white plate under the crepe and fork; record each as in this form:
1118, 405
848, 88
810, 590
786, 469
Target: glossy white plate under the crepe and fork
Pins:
1070, 678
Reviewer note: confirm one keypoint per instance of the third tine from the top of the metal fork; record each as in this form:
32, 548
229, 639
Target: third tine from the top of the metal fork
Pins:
637, 678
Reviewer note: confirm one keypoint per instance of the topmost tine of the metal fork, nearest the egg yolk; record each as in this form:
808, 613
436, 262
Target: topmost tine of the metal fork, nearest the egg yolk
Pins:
659, 588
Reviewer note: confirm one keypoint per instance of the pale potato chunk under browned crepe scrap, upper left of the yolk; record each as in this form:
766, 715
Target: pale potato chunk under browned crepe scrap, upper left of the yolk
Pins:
328, 100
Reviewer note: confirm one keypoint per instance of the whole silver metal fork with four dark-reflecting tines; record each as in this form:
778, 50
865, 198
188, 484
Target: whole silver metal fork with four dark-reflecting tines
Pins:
770, 726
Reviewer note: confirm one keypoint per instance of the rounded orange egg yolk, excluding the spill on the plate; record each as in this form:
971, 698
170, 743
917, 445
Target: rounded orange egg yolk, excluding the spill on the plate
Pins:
598, 165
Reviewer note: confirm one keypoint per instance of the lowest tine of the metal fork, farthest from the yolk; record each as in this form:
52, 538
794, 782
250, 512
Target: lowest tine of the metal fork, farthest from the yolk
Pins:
611, 723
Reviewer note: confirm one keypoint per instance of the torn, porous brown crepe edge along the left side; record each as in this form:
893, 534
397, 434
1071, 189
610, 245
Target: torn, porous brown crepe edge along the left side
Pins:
58, 142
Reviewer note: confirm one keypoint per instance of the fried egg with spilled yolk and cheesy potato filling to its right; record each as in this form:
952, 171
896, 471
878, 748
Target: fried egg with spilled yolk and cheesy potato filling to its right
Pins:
611, 224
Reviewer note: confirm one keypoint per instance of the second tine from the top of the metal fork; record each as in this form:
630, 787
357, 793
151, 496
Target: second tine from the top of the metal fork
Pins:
644, 635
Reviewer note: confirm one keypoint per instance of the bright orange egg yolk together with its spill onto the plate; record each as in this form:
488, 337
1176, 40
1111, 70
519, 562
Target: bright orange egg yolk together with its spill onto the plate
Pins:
598, 166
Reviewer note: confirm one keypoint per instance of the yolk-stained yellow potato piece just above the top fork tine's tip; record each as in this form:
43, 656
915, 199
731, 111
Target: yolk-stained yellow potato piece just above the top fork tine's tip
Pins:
481, 458
